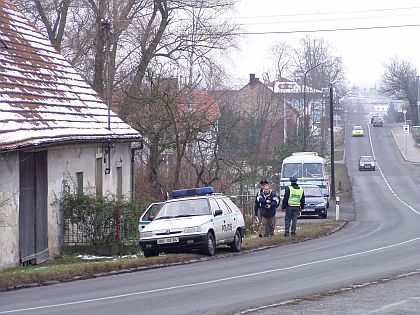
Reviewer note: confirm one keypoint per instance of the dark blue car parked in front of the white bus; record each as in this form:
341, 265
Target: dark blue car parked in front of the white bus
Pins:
315, 203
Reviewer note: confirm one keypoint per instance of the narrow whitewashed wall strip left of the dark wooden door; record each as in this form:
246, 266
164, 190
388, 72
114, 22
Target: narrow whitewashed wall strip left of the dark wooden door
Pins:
9, 205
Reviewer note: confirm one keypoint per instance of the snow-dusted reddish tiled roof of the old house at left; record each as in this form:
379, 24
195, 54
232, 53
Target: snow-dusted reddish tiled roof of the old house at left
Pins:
42, 98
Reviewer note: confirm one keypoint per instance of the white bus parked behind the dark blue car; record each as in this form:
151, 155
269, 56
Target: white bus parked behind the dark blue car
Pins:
309, 168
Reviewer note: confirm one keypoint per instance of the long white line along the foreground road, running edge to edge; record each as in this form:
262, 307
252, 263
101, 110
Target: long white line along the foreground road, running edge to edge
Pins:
119, 296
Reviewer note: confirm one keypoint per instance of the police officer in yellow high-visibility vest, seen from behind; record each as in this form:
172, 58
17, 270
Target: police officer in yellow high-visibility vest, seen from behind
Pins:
293, 203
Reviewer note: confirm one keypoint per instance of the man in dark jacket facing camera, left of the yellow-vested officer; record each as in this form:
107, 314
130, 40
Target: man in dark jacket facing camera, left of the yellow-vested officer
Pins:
268, 203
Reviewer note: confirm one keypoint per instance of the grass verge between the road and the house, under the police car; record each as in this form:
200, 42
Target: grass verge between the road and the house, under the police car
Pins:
70, 268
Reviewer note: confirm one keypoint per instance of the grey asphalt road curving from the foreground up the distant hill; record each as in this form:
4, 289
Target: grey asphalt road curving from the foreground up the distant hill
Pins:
382, 241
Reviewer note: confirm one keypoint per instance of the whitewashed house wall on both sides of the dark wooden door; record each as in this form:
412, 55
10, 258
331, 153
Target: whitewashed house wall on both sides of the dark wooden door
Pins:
63, 164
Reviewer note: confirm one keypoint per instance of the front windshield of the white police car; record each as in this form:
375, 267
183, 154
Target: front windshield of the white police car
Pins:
184, 208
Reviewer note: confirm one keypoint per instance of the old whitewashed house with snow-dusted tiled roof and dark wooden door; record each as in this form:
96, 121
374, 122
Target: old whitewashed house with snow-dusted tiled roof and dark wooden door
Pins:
54, 131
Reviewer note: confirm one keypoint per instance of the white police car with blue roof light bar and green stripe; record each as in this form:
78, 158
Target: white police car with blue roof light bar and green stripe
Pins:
195, 219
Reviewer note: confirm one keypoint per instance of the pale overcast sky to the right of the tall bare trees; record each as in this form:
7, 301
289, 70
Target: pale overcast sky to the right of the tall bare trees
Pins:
363, 51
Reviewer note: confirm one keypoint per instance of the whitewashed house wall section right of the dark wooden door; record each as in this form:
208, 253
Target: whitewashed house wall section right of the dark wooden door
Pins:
65, 162
